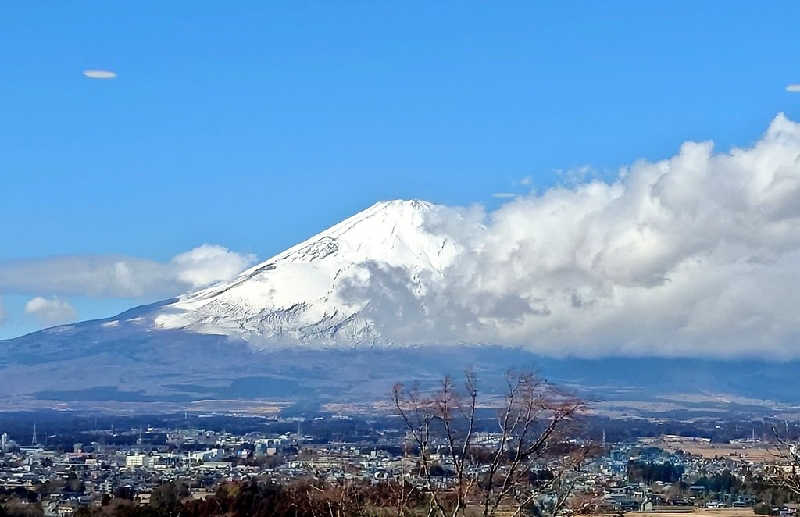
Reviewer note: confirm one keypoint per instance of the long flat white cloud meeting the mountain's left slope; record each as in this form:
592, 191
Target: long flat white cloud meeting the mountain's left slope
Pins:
114, 276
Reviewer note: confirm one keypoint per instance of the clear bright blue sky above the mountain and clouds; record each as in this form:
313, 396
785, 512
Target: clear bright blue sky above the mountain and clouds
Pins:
255, 125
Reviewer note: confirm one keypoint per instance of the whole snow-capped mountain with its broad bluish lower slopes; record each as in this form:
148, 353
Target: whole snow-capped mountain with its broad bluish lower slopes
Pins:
302, 326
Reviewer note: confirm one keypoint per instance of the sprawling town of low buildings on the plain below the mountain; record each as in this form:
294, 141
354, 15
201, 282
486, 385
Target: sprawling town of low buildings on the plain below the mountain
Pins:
149, 467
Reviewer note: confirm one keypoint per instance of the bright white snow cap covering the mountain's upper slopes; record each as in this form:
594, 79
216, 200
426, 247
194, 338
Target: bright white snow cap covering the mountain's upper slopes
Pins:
296, 296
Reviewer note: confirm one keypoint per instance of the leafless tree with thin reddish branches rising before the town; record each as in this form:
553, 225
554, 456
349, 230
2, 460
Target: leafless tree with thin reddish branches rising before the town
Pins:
495, 471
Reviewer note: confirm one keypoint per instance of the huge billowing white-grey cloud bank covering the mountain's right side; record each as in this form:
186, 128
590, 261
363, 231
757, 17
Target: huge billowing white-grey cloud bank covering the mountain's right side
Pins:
695, 255
